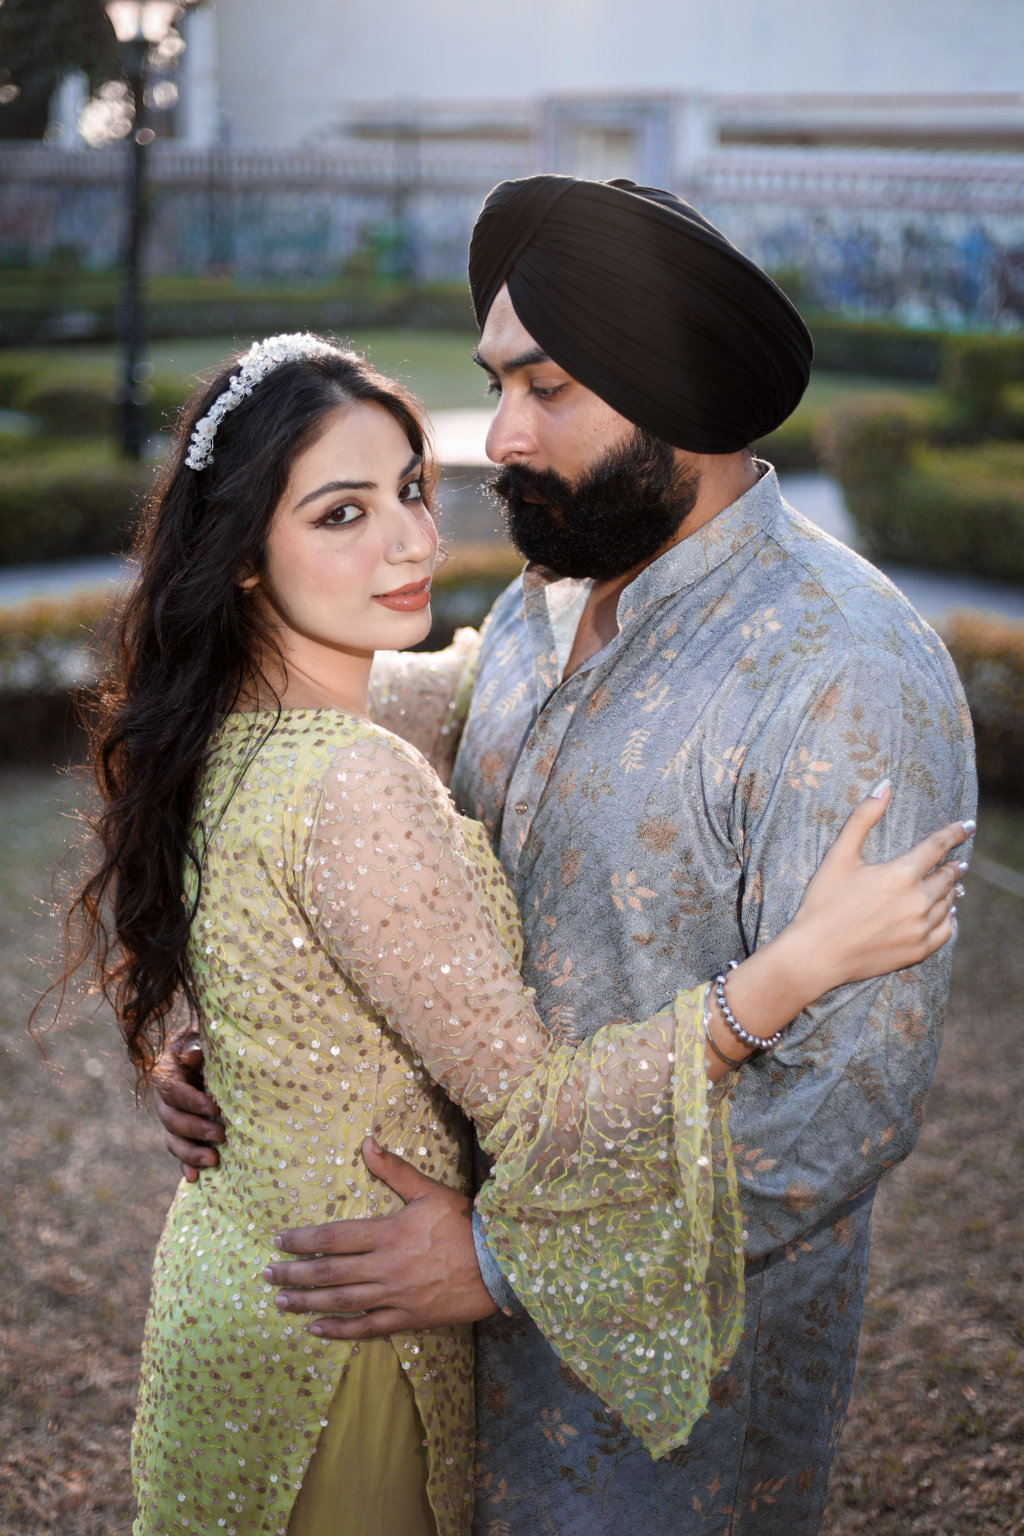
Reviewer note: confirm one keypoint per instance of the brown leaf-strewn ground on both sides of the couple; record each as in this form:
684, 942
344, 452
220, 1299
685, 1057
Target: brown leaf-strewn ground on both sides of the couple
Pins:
936, 1437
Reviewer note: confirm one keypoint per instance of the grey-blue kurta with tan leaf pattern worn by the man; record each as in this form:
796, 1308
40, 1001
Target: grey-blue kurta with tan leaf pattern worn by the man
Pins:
659, 813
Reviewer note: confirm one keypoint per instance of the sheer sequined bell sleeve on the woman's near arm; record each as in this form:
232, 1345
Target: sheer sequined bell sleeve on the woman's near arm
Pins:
612, 1203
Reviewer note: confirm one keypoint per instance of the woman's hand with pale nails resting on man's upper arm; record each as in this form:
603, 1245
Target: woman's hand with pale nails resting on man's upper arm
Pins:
868, 919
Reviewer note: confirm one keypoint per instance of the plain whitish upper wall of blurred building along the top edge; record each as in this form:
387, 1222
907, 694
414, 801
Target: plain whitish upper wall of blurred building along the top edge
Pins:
289, 71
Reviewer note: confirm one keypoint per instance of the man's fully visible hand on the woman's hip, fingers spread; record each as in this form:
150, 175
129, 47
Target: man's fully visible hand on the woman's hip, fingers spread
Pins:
415, 1270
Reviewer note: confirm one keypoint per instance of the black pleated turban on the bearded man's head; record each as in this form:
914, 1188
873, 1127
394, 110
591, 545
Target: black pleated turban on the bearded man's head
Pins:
646, 303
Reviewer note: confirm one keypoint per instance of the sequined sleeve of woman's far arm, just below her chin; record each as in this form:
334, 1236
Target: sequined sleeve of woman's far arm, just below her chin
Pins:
424, 697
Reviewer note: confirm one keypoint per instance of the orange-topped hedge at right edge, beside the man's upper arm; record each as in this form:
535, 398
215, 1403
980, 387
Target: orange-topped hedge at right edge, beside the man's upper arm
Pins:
989, 657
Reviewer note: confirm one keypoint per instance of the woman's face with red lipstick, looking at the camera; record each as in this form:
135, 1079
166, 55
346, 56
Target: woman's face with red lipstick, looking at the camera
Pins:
351, 549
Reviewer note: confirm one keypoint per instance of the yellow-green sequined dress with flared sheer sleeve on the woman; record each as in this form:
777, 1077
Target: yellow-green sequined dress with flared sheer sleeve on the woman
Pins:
357, 962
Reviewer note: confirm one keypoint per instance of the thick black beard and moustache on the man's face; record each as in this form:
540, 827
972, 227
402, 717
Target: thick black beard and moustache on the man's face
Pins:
618, 517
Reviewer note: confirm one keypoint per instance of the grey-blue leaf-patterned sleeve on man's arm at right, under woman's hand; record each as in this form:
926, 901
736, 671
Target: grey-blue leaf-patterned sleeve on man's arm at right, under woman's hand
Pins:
844, 1097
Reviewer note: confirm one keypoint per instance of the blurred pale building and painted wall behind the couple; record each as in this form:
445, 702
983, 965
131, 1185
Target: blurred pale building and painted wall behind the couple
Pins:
871, 151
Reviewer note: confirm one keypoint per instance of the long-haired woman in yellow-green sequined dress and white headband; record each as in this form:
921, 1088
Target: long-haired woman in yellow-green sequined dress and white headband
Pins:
351, 952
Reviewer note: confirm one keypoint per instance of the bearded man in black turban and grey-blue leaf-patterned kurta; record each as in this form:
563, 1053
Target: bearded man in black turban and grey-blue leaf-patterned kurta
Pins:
673, 712
